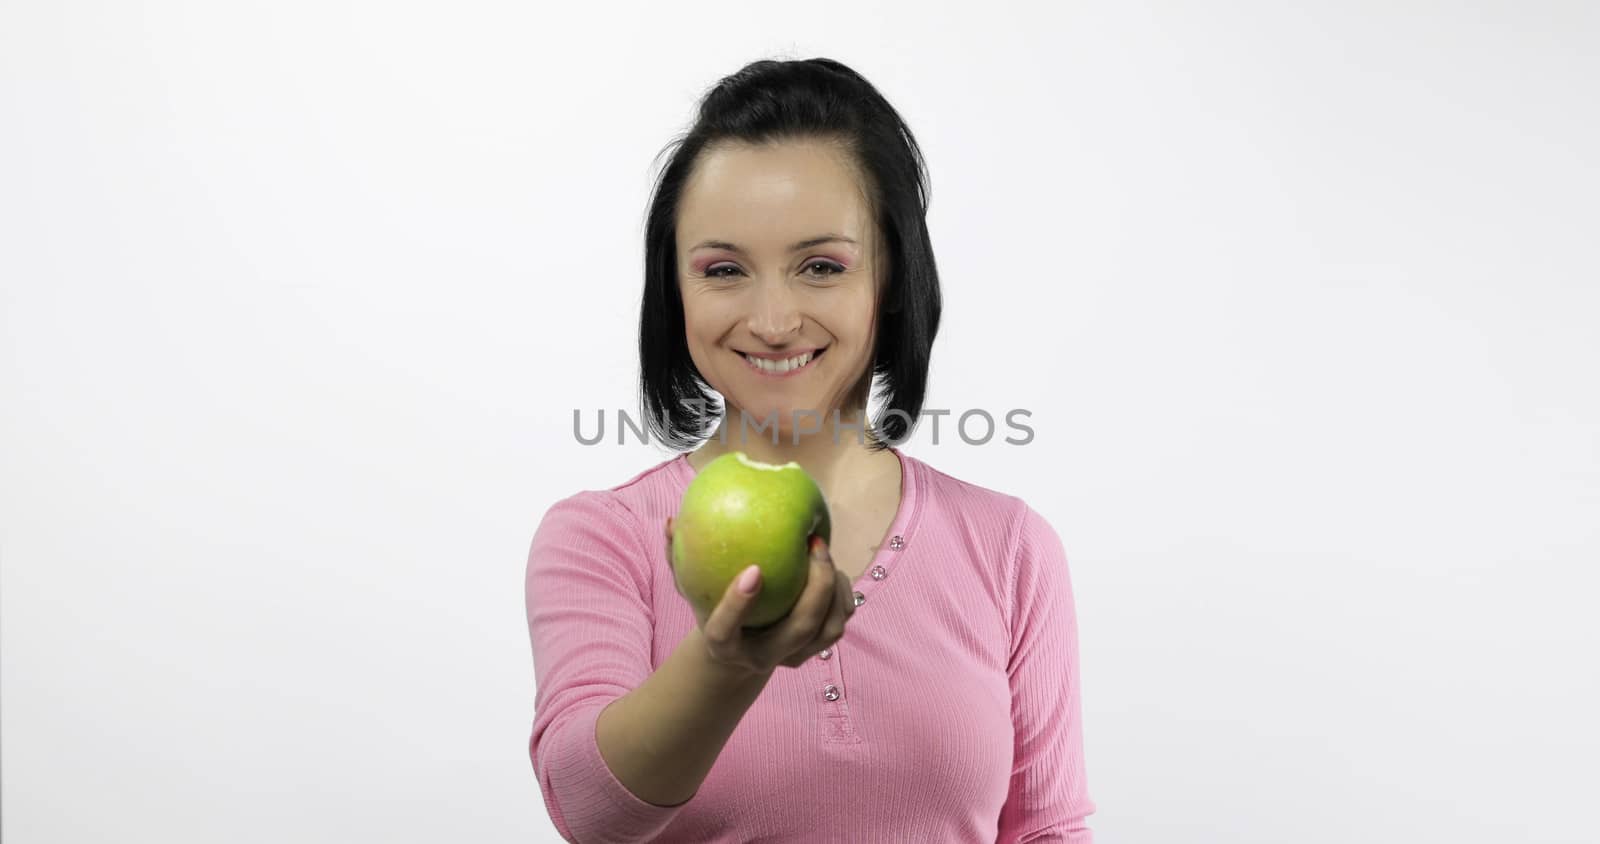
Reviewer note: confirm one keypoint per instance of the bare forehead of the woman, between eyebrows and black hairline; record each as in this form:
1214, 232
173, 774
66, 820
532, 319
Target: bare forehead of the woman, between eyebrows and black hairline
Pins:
770, 196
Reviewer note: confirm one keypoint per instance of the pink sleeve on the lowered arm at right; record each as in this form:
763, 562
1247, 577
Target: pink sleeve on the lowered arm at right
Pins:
1049, 794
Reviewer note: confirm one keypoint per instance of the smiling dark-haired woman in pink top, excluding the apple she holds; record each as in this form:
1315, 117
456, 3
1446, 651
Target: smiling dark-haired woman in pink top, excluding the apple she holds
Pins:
788, 263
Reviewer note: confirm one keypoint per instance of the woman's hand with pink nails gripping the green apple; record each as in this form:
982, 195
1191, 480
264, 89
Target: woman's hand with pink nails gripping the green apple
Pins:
815, 624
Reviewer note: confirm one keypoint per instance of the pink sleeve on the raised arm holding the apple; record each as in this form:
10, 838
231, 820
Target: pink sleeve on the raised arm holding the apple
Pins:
591, 623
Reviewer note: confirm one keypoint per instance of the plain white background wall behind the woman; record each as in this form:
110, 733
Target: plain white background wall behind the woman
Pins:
300, 298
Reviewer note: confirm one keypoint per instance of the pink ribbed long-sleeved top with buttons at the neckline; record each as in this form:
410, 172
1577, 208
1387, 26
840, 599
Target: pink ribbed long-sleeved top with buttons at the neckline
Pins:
956, 719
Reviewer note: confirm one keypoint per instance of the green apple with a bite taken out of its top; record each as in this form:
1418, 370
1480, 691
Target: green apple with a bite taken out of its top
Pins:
742, 512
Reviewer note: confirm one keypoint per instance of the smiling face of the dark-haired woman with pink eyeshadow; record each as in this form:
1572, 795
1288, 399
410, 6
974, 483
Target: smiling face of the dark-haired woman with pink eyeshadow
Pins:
777, 260
